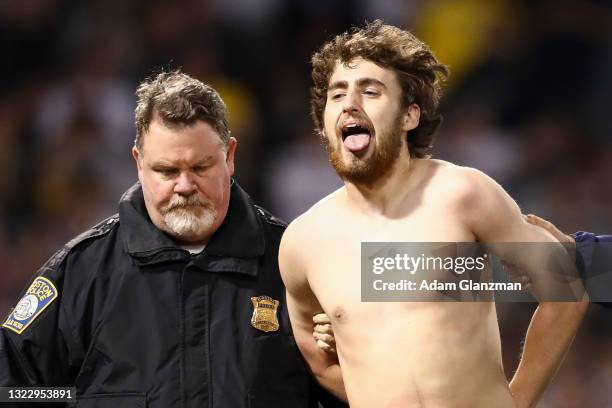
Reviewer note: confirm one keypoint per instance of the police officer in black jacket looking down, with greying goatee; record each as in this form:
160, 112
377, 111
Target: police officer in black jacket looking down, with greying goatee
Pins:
177, 300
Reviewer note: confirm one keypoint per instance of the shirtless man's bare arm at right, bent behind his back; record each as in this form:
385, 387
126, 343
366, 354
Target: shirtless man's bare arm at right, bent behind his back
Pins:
494, 217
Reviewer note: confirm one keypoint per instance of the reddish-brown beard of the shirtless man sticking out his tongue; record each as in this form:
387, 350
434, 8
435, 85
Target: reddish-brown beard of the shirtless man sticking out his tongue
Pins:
374, 168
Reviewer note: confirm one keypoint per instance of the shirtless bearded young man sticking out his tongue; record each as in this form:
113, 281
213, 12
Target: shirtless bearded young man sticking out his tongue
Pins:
374, 101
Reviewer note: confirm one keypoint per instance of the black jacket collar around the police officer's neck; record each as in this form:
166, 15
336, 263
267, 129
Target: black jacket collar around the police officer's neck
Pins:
240, 235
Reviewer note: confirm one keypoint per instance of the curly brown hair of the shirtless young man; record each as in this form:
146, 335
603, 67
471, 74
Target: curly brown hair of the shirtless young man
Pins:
419, 73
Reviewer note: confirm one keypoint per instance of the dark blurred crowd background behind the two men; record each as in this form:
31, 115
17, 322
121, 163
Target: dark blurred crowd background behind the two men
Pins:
528, 103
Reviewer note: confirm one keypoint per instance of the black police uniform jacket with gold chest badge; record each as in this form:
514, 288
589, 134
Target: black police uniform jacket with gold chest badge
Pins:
140, 322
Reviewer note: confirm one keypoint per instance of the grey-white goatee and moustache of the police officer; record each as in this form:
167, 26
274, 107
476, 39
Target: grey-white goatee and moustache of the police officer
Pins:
189, 218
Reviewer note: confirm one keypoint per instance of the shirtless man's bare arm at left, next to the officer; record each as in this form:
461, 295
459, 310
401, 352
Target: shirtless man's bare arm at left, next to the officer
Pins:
302, 306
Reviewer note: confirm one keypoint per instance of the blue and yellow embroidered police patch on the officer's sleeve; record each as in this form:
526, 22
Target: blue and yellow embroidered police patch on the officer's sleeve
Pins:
40, 295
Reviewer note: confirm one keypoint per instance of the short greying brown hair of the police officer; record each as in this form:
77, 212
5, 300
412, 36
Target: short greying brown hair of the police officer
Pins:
179, 99
